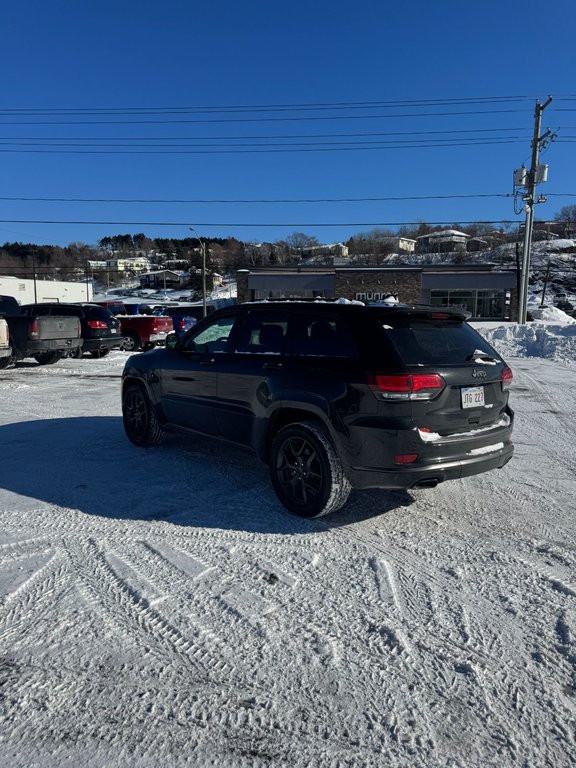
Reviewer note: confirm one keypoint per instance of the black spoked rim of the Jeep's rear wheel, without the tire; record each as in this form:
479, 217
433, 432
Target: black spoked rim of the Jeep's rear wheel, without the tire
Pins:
299, 471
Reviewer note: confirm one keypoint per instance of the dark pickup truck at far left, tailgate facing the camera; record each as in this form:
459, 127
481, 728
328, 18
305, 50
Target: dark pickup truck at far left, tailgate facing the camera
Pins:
46, 339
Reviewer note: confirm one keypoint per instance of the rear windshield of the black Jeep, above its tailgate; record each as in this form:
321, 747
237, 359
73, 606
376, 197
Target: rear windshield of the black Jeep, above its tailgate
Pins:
426, 341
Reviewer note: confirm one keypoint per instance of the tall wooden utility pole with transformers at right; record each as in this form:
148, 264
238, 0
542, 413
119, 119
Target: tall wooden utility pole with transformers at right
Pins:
533, 177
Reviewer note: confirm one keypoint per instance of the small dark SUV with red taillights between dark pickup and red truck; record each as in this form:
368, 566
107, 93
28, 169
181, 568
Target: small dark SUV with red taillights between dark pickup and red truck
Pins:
99, 329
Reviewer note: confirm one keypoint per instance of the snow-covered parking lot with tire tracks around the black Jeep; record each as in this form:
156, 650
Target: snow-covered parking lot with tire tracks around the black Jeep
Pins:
159, 607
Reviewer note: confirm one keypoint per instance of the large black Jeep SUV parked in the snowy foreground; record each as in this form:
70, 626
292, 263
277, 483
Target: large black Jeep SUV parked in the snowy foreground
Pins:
332, 396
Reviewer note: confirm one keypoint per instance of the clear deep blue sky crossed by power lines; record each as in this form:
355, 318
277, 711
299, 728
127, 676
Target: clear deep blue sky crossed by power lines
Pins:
108, 103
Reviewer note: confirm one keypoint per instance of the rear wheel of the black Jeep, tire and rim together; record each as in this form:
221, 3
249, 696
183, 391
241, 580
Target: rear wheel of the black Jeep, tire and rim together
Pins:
306, 472
